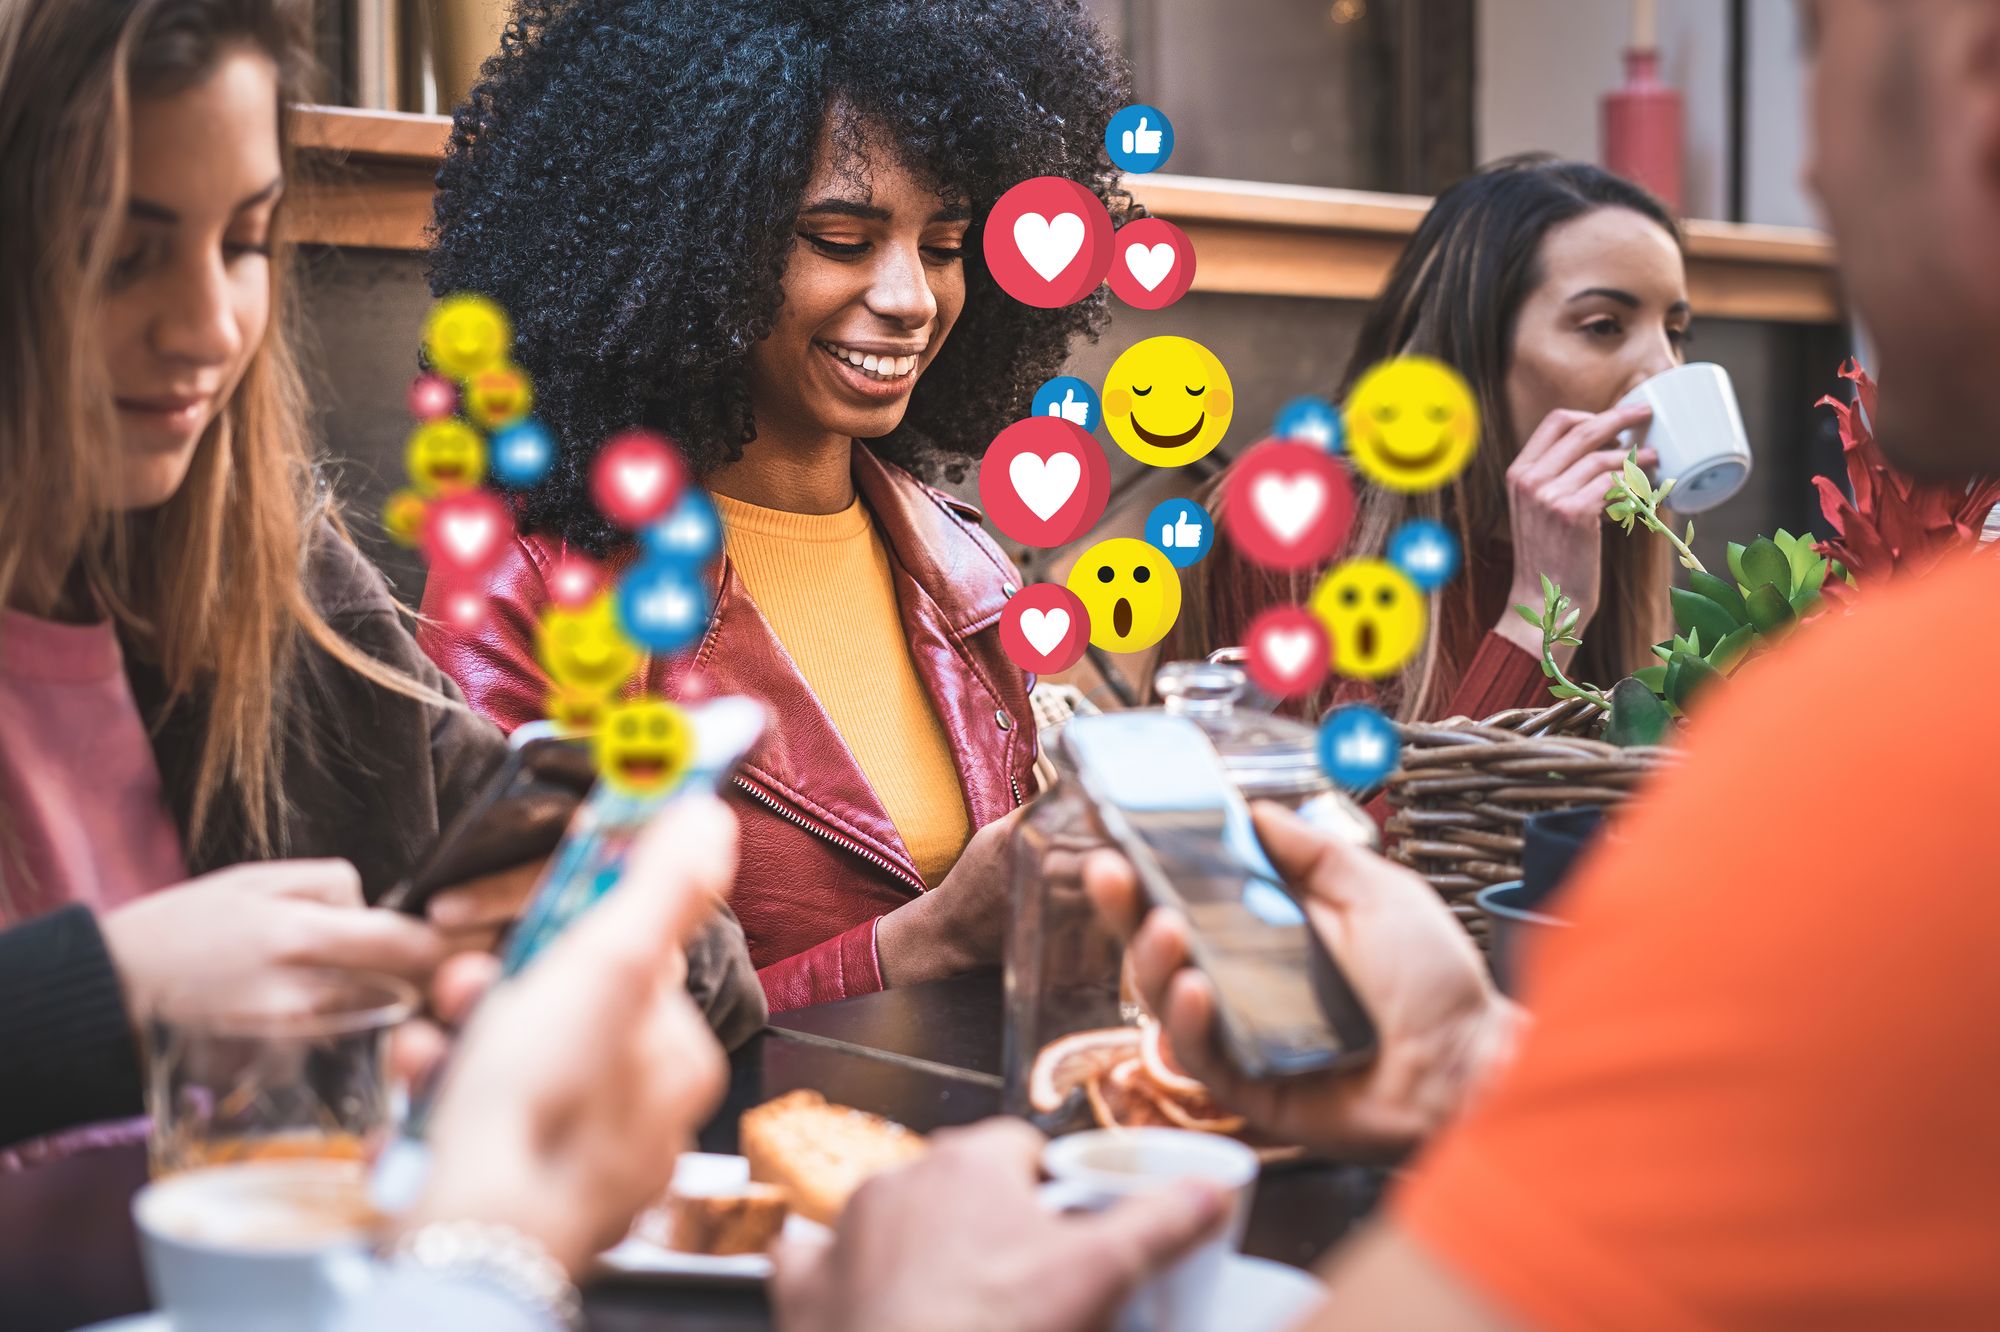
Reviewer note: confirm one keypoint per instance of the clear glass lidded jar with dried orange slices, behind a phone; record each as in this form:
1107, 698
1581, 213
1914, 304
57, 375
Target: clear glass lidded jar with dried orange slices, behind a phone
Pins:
1071, 1017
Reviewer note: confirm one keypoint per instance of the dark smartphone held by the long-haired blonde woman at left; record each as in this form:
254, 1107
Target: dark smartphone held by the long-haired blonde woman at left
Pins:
517, 819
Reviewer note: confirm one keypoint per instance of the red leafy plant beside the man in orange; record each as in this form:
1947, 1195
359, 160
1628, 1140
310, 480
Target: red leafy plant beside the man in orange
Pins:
1893, 525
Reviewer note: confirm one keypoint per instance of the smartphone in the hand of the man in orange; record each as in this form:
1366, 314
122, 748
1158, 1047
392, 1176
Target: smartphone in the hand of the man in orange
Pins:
1163, 797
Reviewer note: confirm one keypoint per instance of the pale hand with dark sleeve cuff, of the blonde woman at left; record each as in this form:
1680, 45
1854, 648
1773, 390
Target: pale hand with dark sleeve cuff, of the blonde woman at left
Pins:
257, 919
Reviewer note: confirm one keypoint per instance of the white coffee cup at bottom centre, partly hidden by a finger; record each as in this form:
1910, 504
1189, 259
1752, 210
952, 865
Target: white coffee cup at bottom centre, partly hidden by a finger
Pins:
1093, 1171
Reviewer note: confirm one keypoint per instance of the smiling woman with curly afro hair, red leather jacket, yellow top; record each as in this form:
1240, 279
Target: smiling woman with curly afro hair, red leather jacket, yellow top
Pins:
755, 225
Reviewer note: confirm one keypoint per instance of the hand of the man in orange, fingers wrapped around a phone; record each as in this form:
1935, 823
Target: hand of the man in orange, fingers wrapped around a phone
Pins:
1443, 1027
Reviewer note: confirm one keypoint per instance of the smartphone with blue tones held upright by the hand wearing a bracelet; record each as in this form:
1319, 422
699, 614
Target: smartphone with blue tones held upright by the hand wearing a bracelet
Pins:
593, 851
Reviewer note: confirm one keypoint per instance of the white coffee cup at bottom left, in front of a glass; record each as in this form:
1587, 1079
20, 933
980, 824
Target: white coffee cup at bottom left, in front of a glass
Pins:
259, 1245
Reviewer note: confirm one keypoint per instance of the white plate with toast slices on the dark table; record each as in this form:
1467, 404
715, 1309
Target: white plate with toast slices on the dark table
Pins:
803, 1161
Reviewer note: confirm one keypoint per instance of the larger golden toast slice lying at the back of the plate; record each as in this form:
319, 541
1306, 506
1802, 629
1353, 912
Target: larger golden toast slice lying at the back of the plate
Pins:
819, 1153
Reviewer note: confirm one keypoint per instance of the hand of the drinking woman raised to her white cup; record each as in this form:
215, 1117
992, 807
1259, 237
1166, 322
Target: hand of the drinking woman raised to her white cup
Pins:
1555, 493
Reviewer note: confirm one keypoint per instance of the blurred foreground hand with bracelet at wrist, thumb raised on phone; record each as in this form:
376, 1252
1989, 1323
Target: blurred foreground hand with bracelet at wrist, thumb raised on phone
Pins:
579, 1083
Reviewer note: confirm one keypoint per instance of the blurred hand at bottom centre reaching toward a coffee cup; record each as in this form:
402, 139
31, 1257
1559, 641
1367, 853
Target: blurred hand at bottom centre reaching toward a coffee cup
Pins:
961, 1243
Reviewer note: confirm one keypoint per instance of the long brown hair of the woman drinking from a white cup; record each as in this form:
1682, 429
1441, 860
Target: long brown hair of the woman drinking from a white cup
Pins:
1457, 295
